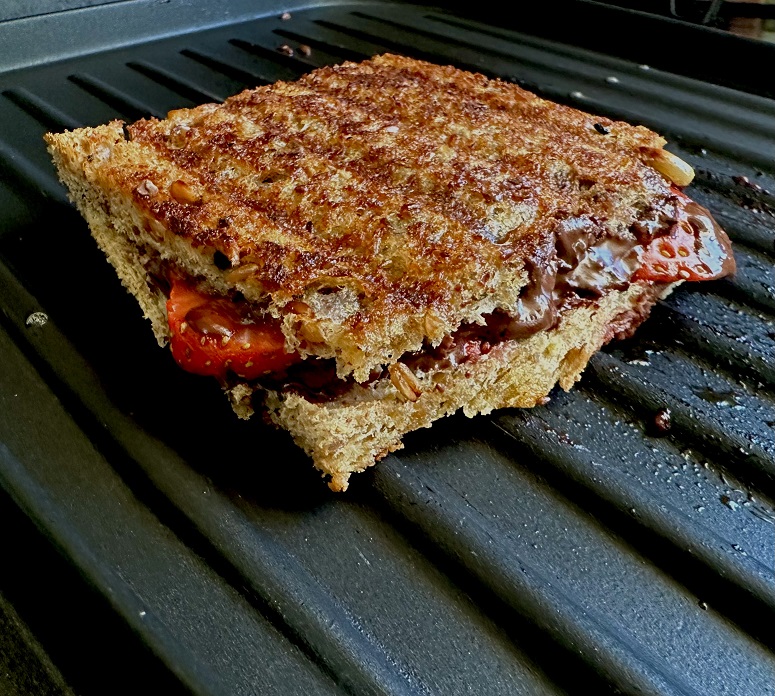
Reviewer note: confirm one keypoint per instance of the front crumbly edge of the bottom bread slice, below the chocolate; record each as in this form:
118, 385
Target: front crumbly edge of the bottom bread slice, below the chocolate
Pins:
347, 434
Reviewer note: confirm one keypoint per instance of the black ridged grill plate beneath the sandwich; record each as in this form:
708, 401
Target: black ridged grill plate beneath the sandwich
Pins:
542, 551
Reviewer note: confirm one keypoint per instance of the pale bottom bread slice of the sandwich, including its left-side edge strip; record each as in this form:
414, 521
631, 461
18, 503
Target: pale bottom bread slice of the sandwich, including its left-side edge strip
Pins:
349, 433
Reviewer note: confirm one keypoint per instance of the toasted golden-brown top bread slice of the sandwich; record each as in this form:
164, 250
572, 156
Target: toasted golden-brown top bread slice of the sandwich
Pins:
371, 207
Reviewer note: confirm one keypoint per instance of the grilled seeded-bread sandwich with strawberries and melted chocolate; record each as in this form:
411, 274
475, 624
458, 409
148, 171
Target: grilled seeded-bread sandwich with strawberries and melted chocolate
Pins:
377, 245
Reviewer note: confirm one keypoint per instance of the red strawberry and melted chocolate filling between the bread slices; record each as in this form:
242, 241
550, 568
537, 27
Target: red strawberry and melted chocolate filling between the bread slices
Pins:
229, 337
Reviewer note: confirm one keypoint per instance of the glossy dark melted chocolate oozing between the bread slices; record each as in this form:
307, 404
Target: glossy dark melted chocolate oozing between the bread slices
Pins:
581, 266
